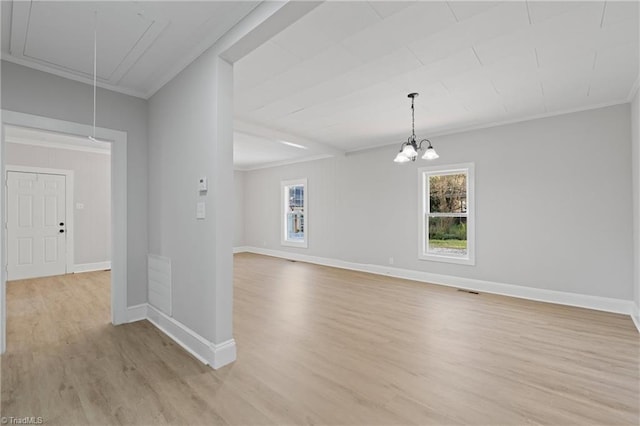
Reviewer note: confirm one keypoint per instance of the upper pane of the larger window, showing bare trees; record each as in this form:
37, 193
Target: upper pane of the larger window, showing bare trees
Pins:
448, 193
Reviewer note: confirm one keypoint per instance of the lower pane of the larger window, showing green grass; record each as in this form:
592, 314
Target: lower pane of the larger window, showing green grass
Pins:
448, 236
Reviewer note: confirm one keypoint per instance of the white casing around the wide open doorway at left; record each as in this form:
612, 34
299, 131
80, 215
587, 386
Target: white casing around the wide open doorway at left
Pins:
118, 141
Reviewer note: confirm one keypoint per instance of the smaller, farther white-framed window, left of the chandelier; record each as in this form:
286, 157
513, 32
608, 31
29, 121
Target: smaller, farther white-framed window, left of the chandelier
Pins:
295, 217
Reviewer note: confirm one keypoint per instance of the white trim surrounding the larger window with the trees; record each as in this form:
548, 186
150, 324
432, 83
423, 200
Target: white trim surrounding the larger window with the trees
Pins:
423, 210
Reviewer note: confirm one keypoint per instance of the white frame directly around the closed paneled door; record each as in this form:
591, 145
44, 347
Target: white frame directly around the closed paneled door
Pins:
69, 204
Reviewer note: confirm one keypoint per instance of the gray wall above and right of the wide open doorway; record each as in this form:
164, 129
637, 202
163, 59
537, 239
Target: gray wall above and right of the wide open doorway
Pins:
34, 92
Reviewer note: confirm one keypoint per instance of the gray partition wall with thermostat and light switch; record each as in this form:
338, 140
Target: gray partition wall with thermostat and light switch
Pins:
190, 135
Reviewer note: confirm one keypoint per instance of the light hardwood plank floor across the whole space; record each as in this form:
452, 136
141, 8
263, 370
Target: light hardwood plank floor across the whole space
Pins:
318, 345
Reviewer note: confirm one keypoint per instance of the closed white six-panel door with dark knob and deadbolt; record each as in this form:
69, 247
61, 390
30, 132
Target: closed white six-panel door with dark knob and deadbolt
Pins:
36, 225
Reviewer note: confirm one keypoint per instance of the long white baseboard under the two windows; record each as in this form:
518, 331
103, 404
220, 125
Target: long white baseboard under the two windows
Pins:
619, 306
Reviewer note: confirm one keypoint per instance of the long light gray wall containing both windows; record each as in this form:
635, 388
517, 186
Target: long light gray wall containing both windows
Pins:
552, 202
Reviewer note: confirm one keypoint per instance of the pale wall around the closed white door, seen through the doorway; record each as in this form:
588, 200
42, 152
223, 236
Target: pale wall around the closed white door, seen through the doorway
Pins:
92, 188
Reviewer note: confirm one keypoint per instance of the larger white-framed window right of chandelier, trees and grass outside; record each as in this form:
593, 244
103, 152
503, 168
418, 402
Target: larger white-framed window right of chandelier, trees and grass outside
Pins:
447, 214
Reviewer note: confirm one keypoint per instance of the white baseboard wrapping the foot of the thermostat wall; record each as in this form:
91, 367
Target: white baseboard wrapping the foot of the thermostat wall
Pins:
209, 353
